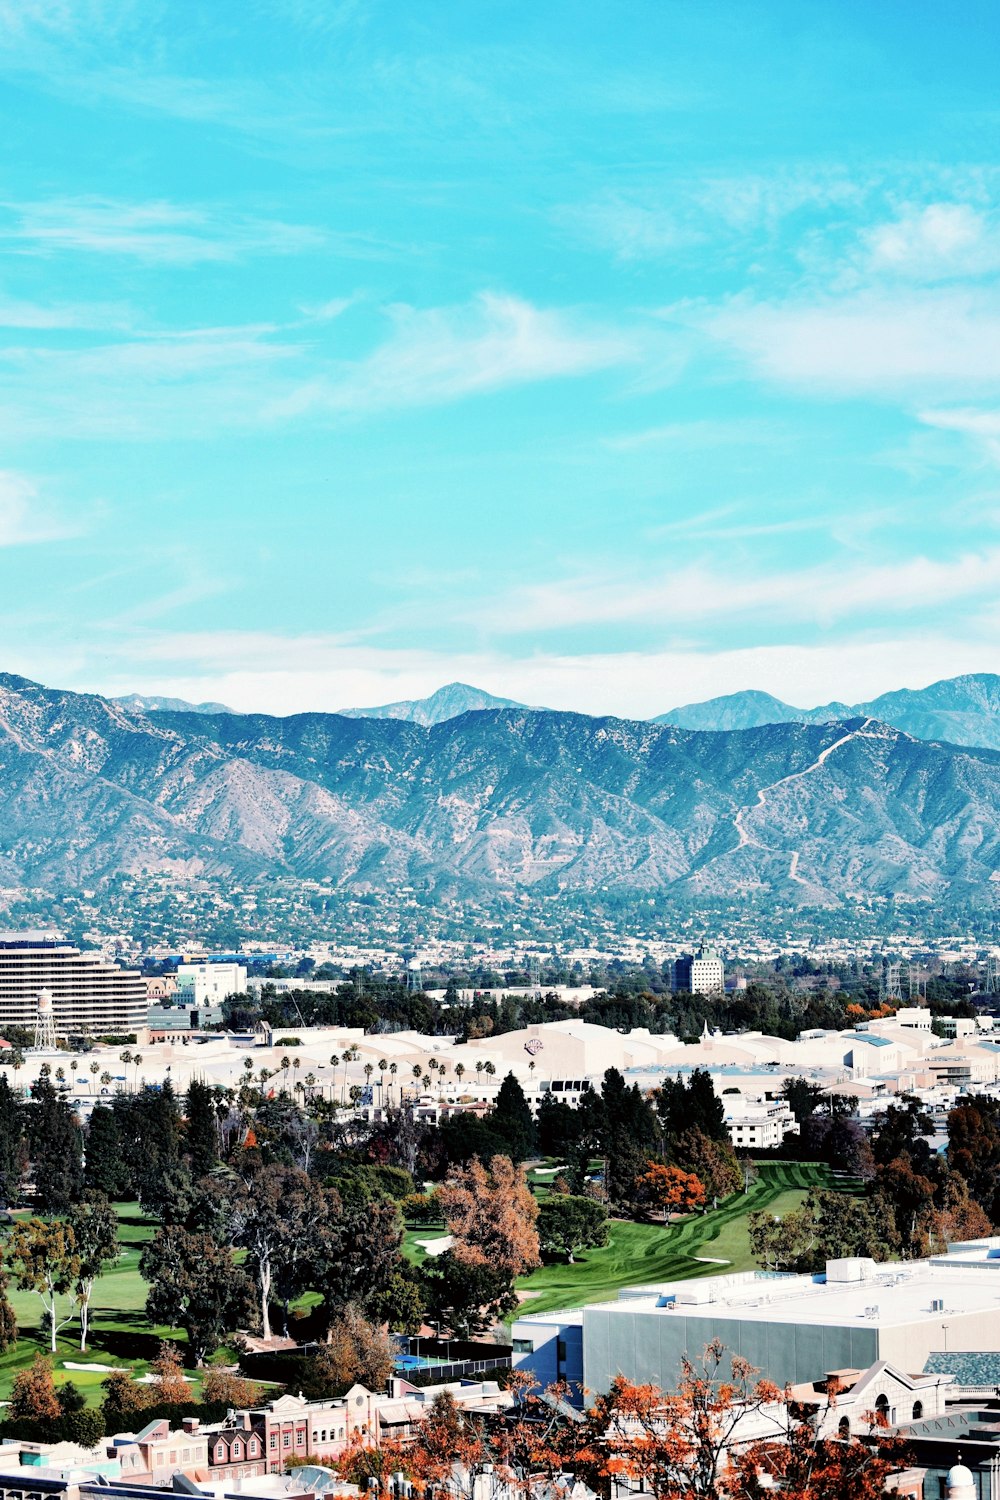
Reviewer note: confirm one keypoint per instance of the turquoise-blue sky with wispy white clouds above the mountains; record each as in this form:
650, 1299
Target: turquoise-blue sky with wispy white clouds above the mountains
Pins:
606, 356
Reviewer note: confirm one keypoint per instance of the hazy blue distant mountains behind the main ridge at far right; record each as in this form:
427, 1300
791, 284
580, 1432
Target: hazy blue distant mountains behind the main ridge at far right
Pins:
963, 710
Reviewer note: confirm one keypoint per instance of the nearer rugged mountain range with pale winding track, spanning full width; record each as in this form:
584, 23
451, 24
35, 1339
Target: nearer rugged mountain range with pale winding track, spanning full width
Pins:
493, 802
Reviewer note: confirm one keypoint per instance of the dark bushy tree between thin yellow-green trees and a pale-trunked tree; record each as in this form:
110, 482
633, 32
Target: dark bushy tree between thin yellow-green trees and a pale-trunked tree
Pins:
194, 1285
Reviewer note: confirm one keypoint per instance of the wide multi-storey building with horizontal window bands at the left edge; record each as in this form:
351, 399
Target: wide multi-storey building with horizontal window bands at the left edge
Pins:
89, 995
